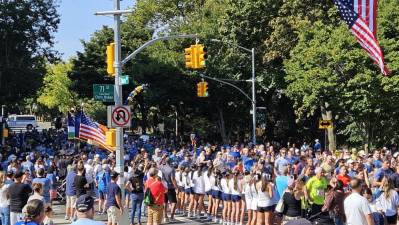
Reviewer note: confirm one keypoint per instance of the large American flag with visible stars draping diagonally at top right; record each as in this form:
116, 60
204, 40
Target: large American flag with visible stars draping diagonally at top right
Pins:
364, 36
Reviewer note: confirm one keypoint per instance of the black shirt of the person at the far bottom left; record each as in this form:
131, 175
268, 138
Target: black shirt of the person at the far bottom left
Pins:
19, 194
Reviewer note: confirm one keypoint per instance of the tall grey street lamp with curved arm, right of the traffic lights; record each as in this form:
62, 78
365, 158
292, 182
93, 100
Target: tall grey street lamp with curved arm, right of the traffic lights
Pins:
253, 111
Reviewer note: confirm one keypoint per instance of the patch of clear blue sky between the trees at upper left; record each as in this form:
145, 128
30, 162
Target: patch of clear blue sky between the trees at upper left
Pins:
79, 22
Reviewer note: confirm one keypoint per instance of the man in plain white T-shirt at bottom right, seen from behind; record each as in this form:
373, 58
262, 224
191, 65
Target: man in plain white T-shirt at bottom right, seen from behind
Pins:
357, 209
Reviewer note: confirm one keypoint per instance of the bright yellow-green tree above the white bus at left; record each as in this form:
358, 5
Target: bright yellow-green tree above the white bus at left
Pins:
56, 91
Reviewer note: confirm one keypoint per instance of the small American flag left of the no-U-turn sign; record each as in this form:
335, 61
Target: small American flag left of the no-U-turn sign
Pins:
91, 130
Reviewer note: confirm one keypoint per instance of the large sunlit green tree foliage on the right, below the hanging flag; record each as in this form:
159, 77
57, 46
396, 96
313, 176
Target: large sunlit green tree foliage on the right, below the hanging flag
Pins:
328, 66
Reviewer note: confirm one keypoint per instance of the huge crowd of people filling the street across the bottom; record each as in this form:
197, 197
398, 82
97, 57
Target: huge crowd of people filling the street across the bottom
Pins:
231, 185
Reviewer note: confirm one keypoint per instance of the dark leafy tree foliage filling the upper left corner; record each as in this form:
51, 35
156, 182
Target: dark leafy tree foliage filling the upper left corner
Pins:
26, 29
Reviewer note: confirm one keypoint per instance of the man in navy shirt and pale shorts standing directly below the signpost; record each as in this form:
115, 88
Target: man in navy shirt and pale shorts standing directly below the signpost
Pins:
114, 200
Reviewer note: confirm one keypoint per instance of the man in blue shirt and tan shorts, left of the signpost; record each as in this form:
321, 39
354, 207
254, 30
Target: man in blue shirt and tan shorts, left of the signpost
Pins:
70, 192
